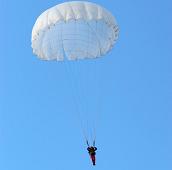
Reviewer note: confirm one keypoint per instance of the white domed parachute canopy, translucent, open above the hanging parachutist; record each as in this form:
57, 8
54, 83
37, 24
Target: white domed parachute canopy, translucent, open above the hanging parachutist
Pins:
74, 30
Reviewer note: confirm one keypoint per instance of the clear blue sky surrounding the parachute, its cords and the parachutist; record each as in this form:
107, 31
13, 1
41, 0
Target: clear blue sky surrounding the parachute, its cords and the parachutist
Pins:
38, 127
